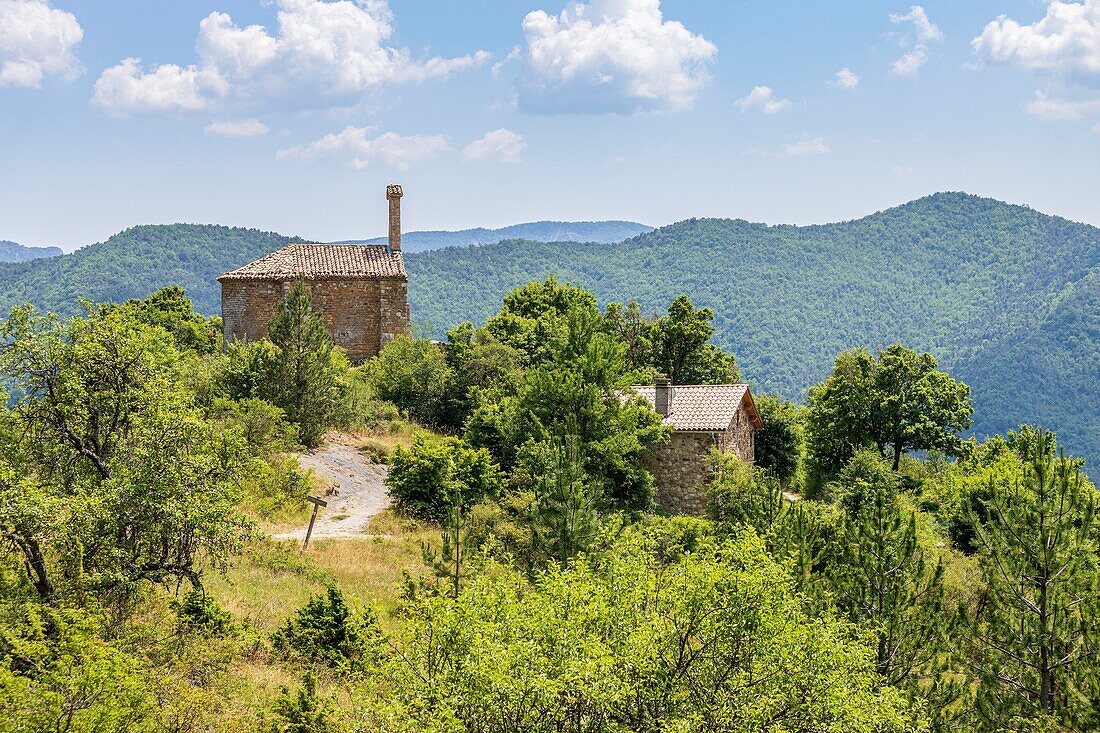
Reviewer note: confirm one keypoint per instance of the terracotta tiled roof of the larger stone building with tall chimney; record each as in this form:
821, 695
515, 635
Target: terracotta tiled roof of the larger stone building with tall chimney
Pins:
323, 261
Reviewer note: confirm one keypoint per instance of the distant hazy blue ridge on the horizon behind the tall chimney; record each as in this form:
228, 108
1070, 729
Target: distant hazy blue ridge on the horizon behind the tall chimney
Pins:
538, 232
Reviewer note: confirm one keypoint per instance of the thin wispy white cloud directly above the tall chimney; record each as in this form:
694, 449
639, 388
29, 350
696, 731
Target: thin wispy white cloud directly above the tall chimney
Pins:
358, 150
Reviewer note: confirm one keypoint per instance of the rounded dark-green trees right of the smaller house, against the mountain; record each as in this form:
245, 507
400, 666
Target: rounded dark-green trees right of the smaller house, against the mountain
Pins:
895, 402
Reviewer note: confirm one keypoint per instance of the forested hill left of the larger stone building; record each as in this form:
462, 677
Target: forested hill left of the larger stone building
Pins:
136, 262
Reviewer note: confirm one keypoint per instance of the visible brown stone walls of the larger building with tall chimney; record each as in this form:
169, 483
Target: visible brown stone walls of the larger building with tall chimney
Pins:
361, 315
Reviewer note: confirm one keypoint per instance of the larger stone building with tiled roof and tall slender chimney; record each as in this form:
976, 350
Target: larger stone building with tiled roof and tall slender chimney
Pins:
361, 290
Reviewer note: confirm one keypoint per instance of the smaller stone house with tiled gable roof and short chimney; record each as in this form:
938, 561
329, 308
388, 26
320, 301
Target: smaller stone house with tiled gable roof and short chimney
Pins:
703, 418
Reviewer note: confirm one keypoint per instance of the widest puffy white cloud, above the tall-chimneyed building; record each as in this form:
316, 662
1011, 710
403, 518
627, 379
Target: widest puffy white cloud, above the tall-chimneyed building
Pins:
324, 54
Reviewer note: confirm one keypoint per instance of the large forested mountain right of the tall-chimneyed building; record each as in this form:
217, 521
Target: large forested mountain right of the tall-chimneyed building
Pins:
1007, 298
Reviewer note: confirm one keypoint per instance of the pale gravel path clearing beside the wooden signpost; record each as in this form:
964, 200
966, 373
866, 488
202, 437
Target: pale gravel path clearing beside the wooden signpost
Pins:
359, 497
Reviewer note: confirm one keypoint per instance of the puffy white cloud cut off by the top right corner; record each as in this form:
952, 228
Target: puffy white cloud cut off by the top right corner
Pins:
1065, 41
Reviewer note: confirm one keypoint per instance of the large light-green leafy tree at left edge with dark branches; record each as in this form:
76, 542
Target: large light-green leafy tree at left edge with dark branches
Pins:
111, 476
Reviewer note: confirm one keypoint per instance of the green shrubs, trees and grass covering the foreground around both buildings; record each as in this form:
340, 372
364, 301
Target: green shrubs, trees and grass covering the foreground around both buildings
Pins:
875, 571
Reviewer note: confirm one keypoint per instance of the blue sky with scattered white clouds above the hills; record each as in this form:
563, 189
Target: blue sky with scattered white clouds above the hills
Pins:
293, 115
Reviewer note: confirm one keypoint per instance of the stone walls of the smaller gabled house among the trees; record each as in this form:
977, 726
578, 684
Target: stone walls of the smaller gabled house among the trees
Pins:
681, 468
